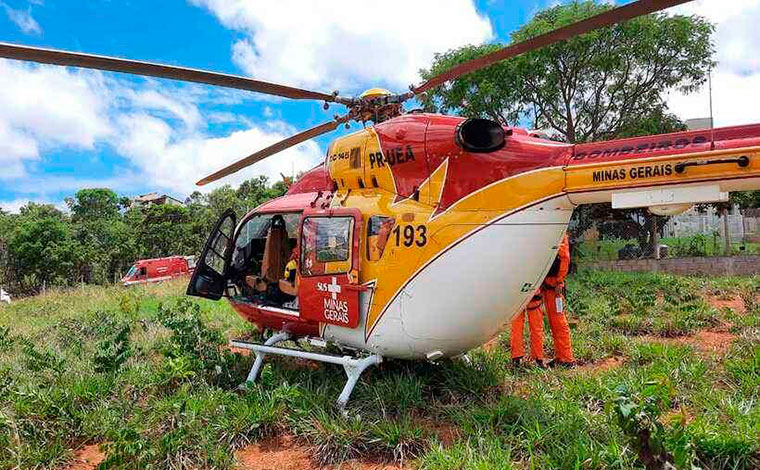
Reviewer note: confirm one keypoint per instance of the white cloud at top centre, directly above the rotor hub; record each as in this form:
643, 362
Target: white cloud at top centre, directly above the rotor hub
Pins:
346, 44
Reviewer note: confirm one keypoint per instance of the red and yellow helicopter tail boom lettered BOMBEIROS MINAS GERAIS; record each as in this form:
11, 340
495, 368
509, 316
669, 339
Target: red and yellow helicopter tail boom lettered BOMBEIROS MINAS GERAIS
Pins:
681, 168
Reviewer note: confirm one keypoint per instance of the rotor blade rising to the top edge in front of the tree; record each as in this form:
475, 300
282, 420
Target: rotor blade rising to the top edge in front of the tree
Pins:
608, 18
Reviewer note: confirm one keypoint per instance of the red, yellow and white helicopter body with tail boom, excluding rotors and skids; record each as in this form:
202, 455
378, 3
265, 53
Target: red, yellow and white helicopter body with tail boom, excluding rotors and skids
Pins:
447, 244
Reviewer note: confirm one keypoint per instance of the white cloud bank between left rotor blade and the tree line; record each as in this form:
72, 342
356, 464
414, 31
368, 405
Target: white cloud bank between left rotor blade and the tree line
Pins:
157, 127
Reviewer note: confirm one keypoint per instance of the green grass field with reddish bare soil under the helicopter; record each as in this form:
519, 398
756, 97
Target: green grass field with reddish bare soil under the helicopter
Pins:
140, 378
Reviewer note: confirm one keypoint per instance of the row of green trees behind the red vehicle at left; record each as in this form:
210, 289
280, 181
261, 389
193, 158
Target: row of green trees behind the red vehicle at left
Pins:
102, 234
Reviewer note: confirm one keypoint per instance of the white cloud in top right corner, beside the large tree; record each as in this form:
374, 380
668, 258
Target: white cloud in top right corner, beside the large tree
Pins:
737, 75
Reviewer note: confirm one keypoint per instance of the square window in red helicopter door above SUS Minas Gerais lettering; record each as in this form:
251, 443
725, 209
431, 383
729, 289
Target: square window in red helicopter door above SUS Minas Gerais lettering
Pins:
326, 245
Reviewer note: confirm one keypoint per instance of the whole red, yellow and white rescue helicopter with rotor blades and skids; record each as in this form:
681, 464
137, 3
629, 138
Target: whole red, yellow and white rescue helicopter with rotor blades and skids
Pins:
422, 235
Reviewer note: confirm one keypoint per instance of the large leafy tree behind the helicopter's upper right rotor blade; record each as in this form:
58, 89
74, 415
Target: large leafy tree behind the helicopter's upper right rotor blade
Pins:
597, 86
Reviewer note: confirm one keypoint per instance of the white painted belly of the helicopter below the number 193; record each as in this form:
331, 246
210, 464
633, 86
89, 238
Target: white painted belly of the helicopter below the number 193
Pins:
468, 294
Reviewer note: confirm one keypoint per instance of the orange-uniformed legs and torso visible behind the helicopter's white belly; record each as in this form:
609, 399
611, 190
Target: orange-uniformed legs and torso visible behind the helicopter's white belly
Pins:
551, 296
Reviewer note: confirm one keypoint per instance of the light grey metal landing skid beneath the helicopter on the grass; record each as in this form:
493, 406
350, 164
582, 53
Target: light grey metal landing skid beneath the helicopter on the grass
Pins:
353, 367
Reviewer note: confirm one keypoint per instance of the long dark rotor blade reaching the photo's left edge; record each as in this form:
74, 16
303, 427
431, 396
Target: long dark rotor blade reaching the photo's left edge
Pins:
113, 64
